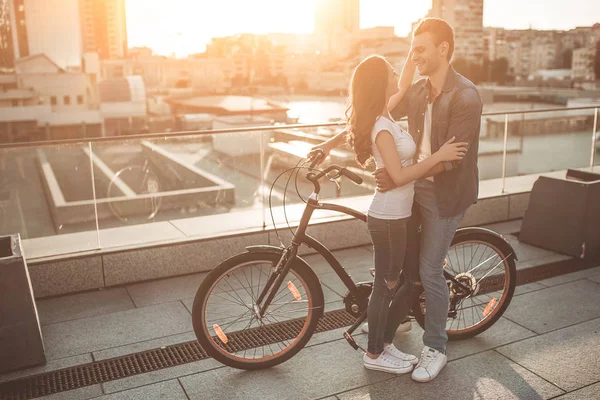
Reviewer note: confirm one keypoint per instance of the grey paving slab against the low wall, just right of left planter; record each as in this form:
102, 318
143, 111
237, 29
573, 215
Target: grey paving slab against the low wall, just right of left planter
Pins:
82, 305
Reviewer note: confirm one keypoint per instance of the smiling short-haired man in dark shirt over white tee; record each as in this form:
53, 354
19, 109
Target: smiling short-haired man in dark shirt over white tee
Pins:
438, 107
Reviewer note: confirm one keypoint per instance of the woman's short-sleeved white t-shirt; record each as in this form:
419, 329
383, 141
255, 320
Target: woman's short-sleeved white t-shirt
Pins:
396, 203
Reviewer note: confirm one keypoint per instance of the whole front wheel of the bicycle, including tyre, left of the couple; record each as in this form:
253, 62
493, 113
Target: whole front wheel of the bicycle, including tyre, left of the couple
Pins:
226, 317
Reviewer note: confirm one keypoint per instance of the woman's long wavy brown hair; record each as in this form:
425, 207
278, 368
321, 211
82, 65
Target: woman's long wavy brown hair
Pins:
368, 88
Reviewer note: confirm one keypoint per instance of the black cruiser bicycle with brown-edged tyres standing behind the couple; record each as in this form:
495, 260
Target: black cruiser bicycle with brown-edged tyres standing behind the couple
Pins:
246, 323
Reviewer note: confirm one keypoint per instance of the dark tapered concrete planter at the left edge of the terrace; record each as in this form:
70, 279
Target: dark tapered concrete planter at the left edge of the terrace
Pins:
21, 342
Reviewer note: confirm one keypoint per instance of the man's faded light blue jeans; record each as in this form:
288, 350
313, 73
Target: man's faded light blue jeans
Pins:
436, 237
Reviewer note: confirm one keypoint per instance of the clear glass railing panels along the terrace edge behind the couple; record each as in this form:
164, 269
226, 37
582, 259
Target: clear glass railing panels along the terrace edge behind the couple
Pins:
73, 196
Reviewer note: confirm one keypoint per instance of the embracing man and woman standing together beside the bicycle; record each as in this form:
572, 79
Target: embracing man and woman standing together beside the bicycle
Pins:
426, 179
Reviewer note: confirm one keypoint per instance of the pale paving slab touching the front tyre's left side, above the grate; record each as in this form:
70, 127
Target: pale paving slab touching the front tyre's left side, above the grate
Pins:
86, 335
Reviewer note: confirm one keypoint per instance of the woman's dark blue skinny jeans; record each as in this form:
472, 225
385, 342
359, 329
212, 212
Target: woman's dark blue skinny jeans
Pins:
389, 245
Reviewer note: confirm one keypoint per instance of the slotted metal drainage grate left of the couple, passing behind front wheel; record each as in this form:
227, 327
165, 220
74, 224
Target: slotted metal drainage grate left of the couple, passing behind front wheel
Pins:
152, 360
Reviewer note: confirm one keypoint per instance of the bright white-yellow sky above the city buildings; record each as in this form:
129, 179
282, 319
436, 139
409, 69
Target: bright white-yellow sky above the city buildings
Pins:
186, 26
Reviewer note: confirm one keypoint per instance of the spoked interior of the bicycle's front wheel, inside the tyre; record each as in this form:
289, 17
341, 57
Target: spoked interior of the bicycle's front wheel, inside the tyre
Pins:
237, 291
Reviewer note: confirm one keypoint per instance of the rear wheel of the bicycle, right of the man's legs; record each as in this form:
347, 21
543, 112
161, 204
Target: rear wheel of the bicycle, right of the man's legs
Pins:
476, 260
